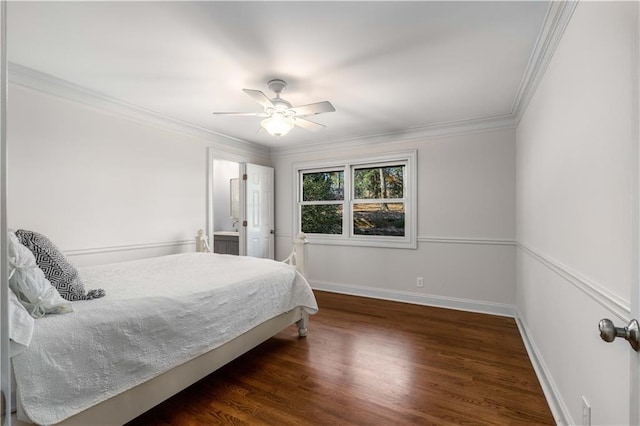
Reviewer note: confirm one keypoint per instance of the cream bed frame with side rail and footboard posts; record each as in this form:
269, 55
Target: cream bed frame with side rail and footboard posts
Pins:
130, 404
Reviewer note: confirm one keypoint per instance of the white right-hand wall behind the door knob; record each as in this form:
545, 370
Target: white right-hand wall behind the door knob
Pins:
576, 193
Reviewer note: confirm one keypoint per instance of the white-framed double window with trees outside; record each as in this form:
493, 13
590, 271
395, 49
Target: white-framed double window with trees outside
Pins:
369, 201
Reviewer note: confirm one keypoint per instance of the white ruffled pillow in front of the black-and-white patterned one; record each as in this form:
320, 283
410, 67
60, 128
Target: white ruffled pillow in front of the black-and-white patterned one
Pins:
29, 284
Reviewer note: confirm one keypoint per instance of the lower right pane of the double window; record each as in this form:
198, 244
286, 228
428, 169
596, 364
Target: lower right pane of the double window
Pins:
378, 219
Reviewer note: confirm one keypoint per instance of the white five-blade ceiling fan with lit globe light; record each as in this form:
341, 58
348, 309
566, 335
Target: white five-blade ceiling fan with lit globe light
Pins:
280, 115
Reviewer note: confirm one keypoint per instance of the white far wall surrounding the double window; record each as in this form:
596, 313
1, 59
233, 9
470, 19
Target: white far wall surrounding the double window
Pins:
466, 227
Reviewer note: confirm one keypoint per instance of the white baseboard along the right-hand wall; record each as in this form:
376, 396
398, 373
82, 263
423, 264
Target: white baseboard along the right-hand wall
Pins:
556, 404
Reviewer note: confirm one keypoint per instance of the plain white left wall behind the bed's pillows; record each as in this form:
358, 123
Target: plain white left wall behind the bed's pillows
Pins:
102, 187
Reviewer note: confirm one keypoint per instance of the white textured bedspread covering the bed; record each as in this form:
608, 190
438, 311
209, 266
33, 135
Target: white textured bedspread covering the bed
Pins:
157, 313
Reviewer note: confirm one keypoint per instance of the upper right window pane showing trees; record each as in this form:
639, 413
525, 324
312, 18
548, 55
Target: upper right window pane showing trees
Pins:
379, 182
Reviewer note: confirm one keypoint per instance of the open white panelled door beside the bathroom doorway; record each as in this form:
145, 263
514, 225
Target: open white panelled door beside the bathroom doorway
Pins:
259, 221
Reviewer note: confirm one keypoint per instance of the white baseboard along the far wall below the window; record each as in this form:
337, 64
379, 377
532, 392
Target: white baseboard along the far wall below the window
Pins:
416, 298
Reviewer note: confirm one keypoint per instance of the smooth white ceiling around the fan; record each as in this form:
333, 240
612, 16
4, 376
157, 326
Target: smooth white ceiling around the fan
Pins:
386, 66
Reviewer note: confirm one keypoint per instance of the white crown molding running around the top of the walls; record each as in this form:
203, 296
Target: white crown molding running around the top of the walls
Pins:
556, 20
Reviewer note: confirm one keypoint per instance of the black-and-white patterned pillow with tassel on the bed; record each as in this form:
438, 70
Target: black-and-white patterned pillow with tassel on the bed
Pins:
62, 274
